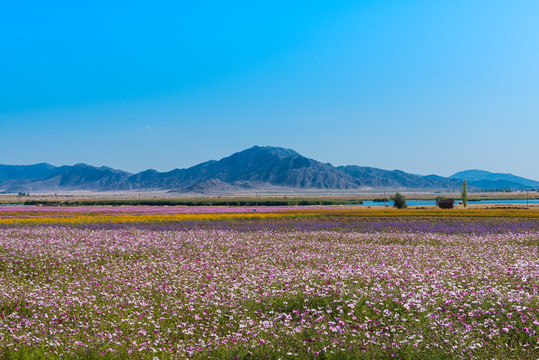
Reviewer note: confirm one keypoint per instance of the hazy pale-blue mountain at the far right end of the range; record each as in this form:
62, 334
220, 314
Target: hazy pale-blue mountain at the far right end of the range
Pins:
488, 180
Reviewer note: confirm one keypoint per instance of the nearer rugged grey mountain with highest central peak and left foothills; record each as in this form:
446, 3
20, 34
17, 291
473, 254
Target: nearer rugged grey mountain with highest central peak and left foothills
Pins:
257, 167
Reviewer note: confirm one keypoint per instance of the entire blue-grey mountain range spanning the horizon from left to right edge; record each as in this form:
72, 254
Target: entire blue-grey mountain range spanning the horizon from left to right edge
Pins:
254, 168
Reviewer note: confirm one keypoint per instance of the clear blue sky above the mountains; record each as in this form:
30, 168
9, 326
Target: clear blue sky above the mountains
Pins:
418, 85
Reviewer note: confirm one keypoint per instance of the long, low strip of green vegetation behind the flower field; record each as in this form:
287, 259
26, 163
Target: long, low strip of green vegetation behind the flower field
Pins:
195, 202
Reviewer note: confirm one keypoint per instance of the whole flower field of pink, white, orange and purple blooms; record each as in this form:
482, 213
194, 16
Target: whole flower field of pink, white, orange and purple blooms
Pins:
222, 283
